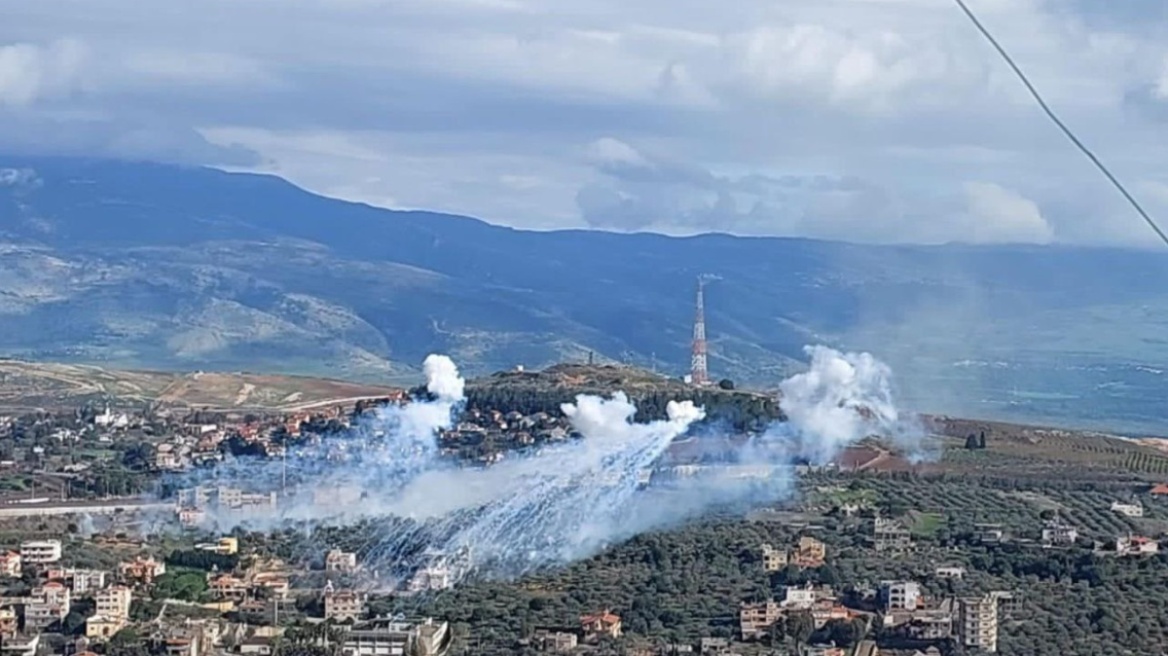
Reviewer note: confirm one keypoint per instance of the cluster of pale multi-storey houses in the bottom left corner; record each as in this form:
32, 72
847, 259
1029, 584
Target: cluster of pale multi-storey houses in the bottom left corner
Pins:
261, 588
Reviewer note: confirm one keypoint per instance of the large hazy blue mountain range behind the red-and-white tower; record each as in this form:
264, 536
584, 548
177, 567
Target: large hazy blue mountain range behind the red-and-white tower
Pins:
149, 267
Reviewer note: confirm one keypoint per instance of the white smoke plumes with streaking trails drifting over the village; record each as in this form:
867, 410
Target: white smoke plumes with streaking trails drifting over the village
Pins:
565, 503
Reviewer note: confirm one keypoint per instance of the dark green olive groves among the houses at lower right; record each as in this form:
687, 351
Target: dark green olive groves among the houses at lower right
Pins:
684, 585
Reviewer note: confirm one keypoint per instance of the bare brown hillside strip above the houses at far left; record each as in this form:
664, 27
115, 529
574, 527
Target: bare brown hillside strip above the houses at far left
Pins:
26, 386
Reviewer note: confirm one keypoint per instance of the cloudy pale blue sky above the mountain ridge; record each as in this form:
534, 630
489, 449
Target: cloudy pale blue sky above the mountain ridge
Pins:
867, 121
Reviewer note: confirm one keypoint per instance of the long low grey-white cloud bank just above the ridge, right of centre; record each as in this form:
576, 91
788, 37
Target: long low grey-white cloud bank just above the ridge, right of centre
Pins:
642, 192
